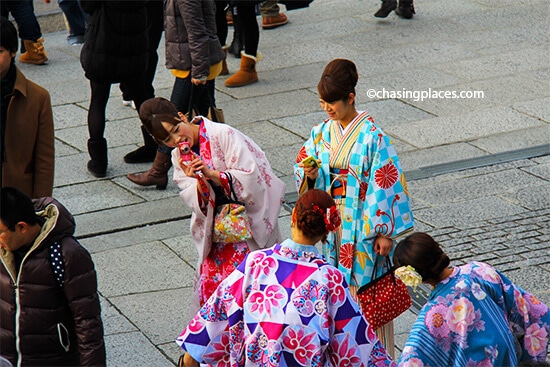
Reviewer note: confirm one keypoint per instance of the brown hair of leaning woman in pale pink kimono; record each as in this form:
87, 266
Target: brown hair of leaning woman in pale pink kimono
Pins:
153, 112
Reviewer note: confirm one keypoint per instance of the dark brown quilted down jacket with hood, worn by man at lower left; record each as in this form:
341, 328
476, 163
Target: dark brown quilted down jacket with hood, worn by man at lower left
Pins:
44, 323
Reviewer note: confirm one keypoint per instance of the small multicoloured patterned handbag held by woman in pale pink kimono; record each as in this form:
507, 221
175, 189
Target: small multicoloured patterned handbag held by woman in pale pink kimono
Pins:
231, 222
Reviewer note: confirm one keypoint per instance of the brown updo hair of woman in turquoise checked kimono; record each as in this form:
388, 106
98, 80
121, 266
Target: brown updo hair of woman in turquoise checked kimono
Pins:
338, 81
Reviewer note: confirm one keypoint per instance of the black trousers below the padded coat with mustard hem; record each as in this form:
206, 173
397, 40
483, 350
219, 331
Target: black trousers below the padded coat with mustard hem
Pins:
181, 95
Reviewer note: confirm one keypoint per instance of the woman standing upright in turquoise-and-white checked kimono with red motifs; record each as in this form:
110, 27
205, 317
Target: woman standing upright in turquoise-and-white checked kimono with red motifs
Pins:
356, 163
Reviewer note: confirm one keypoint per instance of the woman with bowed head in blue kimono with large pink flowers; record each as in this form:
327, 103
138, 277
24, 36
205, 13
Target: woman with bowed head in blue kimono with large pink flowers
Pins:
475, 316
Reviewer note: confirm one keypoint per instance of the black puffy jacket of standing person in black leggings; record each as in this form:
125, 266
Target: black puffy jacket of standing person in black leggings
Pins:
115, 46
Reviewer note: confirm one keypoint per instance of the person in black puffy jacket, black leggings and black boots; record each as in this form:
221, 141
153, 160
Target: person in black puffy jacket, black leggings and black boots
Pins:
115, 50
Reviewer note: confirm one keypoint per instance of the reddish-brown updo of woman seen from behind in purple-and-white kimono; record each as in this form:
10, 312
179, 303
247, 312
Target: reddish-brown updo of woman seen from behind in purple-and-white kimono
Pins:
309, 221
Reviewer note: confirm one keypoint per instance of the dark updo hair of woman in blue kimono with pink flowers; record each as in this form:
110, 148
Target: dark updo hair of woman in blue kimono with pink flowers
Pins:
423, 253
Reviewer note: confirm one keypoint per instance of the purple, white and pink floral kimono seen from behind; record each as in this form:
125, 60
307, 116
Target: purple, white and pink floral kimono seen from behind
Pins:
283, 306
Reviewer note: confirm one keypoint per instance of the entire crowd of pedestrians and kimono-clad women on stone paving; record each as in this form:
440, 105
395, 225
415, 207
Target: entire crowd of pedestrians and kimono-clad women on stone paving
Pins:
264, 300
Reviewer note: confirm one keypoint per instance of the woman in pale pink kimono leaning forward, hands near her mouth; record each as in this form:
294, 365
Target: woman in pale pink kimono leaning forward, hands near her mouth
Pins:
219, 150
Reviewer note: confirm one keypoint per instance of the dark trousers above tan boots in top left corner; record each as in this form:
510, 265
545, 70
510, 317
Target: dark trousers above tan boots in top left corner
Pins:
23, 13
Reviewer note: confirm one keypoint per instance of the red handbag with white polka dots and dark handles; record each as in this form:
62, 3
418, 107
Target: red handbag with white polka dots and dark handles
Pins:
384, 298
